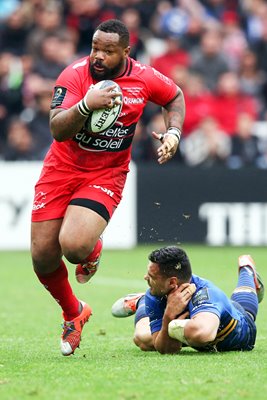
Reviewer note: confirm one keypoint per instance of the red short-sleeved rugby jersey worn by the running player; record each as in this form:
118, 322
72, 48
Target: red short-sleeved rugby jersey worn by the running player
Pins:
139, 83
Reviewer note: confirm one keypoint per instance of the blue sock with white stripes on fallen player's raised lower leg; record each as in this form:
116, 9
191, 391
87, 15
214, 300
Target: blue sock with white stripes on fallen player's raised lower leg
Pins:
245, 291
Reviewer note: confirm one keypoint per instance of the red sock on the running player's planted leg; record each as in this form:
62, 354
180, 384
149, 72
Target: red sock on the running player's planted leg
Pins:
58, 285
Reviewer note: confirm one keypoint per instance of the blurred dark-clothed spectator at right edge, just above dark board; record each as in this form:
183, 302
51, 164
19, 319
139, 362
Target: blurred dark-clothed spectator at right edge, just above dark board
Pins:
245, 150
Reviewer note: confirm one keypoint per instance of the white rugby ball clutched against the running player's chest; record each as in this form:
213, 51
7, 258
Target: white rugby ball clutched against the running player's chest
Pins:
102, 119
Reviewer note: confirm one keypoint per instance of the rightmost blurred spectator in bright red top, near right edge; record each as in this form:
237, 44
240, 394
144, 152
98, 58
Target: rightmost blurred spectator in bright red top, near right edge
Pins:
230, 102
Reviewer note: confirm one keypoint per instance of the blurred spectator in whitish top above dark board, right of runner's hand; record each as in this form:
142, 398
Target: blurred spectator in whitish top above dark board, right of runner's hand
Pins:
206, 146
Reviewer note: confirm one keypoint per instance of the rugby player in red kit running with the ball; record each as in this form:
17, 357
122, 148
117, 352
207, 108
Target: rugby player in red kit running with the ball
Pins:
84, 174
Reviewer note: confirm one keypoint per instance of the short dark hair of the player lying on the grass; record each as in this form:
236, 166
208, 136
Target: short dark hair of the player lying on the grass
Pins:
172, 261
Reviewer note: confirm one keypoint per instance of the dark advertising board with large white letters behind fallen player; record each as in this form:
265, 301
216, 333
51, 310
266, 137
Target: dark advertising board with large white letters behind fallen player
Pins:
216, 206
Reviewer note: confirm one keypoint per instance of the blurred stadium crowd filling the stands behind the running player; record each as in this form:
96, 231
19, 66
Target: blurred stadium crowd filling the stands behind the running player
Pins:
215, 50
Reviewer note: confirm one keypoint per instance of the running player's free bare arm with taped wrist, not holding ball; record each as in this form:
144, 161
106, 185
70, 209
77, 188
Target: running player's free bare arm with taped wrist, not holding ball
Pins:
173, 114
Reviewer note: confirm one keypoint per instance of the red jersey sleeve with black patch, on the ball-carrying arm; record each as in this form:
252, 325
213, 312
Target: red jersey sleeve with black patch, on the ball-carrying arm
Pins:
69, 88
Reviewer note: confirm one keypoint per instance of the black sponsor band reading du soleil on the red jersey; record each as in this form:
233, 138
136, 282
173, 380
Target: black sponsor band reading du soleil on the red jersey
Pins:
113, 139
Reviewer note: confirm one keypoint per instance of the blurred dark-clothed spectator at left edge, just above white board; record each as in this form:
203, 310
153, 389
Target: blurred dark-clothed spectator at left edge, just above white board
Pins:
20, 144
